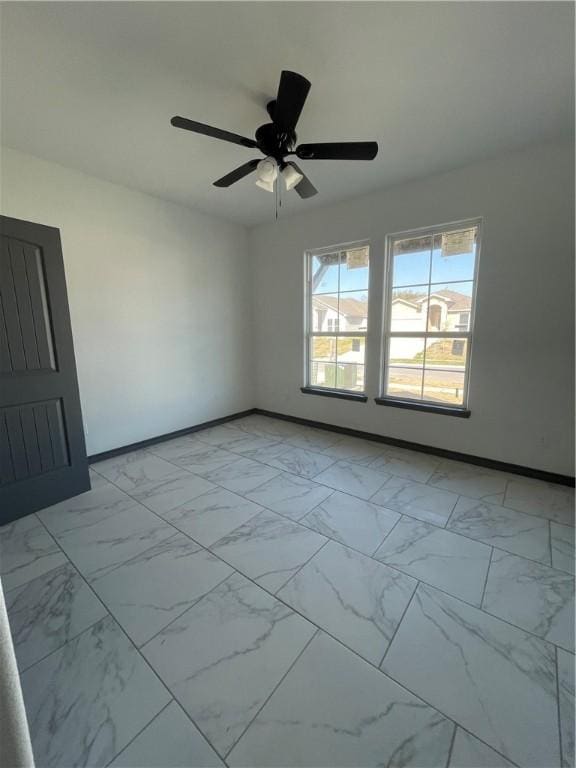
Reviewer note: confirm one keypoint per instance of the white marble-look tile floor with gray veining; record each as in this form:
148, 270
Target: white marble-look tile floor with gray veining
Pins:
266, 594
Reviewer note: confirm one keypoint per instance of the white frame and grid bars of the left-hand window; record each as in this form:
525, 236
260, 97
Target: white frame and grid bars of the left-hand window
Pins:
309, 333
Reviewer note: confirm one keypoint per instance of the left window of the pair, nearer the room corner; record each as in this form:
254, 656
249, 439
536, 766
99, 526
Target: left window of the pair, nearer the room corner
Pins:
337, 317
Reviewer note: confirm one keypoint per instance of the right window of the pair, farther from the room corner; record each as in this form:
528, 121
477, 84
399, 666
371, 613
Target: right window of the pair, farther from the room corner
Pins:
428, 315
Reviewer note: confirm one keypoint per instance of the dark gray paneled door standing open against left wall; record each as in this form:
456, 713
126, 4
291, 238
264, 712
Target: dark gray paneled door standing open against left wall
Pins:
42, 449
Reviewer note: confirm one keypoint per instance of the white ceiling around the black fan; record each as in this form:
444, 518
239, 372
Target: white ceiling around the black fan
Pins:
93, 86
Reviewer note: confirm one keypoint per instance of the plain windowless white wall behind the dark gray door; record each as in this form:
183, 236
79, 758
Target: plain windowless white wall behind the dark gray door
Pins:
159, 301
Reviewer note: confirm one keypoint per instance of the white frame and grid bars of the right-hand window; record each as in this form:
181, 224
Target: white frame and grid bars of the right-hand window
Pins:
407, 402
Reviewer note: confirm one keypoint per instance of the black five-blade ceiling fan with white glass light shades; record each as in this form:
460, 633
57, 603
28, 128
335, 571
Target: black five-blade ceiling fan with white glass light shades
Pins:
277, 141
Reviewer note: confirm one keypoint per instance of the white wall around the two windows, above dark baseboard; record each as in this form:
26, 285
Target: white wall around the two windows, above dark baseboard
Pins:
522, 384
